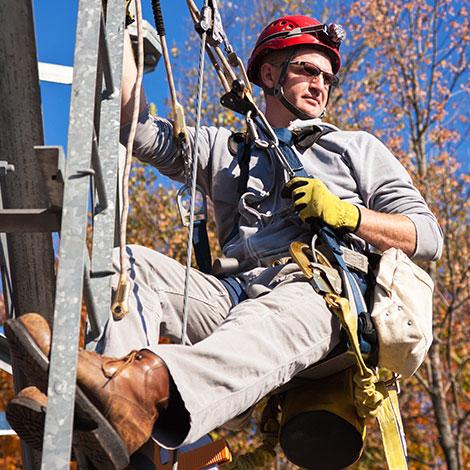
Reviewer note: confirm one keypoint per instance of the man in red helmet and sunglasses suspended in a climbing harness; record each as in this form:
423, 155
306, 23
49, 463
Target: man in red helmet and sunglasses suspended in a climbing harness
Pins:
245, 342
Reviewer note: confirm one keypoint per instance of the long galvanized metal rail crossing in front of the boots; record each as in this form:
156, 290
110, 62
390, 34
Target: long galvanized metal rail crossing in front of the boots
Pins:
73, 250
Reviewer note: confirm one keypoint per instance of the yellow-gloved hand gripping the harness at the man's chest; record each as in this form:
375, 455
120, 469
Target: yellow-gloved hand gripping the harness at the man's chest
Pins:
312, 199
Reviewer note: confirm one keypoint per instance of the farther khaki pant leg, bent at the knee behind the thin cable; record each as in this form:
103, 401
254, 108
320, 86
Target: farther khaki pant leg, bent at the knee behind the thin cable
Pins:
156, 303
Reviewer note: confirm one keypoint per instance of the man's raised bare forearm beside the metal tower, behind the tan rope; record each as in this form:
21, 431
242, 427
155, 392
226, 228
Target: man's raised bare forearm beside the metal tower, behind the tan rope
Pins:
129, 76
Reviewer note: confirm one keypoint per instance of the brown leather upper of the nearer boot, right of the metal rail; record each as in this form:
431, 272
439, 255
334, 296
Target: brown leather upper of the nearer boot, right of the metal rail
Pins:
129, 391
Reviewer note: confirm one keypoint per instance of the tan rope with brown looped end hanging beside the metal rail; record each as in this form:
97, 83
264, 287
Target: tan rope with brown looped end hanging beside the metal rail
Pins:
120, 305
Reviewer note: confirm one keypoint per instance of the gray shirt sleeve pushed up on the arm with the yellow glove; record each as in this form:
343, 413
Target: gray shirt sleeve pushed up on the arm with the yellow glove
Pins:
385, 186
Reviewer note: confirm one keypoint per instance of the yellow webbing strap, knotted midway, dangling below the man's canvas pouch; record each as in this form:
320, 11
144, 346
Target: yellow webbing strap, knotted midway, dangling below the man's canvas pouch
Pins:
372, 397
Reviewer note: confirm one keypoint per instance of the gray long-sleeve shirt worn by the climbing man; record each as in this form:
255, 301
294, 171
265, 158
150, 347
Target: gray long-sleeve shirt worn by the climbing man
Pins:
354, 165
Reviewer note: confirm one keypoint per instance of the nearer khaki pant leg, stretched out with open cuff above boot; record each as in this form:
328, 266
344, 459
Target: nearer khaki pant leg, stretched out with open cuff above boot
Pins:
262, 344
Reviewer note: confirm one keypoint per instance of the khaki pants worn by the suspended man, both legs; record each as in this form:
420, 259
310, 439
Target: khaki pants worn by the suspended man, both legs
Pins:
237, 354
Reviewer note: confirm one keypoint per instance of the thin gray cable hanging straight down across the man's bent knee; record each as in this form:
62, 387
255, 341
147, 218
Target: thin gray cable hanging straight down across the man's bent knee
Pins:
193, 179
